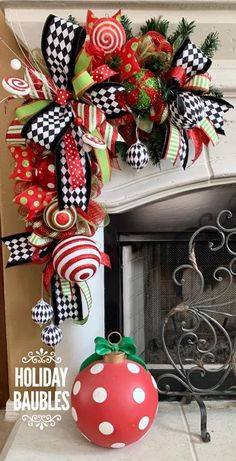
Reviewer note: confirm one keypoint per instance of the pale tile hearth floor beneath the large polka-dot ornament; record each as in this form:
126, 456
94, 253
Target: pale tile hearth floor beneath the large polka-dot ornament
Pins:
173, 437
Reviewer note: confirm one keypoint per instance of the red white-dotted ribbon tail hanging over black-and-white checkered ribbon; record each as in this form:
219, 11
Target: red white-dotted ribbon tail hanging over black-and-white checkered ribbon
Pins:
74, 163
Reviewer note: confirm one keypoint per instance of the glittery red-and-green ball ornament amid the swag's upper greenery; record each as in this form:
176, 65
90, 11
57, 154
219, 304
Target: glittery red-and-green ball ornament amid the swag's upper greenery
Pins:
142, 89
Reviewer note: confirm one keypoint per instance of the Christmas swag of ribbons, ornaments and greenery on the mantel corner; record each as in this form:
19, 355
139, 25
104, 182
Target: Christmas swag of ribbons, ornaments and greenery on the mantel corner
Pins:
94, 92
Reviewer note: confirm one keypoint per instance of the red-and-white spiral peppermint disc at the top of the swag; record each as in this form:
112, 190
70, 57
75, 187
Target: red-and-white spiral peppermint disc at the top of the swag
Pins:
108, 34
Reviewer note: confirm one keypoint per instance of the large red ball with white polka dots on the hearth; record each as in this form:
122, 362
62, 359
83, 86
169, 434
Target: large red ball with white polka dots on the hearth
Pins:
114, 403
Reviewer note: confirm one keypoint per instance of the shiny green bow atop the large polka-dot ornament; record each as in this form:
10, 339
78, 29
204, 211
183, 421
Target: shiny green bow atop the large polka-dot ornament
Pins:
103, 346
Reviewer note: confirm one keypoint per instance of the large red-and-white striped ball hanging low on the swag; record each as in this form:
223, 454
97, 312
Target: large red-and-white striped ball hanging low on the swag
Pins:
76, 258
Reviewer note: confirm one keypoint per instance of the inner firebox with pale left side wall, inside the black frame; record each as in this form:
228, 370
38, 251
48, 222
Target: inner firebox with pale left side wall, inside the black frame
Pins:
149, 294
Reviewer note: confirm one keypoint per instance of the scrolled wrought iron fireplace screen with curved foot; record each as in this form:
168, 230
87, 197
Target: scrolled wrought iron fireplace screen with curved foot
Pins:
202, 313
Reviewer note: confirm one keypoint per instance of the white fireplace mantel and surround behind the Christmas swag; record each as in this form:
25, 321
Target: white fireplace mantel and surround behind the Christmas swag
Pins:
129, 188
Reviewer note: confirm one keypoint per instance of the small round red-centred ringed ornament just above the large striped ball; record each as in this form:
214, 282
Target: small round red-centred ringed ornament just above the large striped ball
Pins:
59, 220
